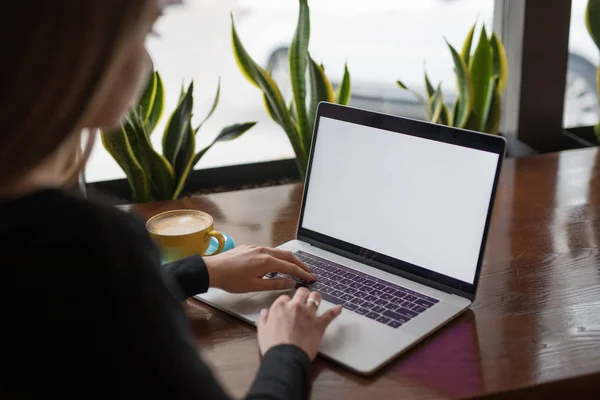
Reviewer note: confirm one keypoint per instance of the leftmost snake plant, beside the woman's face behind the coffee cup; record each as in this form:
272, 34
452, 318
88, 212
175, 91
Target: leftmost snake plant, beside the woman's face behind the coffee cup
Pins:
151, 175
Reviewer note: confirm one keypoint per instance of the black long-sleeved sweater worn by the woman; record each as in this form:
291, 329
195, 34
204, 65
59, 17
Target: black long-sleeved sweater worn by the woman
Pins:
88, 311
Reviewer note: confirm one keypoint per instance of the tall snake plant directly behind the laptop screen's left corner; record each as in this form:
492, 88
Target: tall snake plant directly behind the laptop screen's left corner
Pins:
297, 119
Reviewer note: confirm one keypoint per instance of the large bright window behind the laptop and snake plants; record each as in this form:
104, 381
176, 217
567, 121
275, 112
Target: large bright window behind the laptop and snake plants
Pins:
381, 40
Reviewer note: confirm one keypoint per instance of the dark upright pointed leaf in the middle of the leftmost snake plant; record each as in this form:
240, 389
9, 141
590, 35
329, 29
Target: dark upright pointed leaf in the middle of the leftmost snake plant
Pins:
178, 126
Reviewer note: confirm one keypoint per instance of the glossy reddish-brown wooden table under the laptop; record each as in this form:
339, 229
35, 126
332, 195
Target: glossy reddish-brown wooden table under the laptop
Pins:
534, 329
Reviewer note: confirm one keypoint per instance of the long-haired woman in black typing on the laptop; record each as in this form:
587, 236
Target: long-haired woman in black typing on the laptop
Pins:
86, 307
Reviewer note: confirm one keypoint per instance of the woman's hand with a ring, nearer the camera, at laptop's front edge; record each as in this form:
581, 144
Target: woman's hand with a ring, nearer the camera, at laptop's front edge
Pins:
295, 321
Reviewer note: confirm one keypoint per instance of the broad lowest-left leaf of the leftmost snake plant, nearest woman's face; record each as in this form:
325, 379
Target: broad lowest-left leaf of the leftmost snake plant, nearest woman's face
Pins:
117, 145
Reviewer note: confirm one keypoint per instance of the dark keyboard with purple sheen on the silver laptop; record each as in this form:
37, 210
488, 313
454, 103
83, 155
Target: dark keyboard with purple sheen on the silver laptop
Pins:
376, 299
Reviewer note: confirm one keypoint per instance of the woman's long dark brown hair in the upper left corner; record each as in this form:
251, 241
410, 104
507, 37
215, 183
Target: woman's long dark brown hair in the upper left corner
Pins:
55, 56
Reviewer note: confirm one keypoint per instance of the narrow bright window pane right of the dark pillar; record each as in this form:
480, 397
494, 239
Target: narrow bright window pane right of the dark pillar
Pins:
581, 98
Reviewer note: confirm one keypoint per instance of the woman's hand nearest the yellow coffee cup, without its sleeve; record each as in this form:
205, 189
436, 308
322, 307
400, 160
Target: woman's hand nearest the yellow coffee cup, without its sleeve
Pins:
241, 269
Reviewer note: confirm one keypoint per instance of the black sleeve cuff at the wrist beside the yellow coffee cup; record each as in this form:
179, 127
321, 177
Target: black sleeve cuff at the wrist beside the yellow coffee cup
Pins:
190, 274
